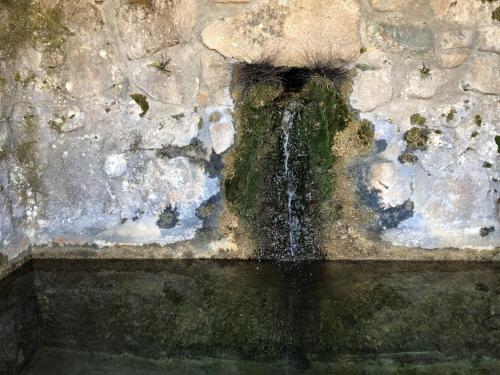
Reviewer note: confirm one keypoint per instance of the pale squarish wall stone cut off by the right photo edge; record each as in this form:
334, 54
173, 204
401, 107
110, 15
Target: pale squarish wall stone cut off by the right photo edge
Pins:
483, 74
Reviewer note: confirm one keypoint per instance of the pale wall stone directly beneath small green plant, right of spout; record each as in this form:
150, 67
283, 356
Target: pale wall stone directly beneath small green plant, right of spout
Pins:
424, 87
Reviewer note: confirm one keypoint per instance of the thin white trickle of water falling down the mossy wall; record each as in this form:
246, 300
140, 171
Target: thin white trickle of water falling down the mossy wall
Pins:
293, 221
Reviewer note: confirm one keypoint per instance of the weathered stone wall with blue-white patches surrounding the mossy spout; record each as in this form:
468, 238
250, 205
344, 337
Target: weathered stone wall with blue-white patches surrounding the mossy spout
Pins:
116, 122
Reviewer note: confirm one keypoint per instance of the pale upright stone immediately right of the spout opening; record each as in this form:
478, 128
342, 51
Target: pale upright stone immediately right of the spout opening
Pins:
373, 76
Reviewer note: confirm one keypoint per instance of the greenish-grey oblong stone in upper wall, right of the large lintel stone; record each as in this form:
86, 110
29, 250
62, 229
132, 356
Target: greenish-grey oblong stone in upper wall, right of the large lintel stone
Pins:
401, 36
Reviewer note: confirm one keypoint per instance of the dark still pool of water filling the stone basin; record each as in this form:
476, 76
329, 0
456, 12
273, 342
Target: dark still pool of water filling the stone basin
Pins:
234, 317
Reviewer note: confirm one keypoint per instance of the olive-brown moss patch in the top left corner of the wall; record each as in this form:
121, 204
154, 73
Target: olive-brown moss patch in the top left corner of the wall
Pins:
27, 23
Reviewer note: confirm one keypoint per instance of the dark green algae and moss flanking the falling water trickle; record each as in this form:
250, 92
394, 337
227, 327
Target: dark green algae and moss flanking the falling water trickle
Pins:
258, 186
